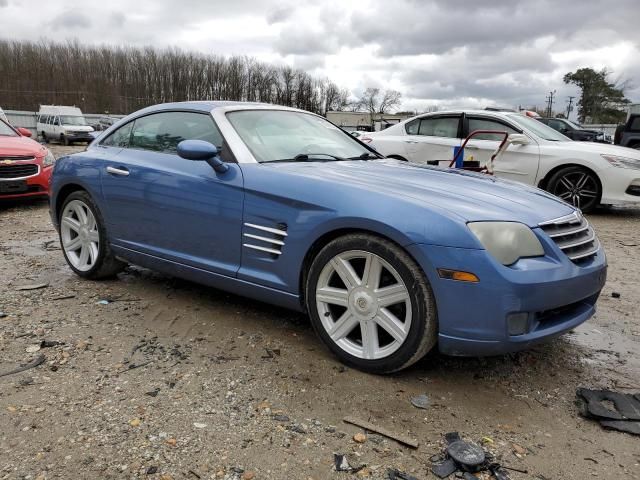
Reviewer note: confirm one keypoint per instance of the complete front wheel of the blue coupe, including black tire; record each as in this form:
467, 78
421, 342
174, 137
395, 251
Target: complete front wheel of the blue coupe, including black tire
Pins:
371, 304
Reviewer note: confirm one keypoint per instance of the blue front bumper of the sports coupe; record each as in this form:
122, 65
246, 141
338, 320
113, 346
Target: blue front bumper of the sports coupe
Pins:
555, 294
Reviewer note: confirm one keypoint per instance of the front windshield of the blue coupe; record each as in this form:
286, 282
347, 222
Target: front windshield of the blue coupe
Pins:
274, 135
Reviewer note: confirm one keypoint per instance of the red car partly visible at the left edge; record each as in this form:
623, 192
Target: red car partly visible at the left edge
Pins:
25, 165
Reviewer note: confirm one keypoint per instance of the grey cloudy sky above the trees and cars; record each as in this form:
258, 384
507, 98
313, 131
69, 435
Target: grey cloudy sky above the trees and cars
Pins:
436, 52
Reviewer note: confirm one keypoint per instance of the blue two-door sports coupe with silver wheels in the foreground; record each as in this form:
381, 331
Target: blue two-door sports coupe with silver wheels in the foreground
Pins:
387, 258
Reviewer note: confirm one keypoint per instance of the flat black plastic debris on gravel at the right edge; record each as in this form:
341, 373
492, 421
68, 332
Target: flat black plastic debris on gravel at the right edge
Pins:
625, 415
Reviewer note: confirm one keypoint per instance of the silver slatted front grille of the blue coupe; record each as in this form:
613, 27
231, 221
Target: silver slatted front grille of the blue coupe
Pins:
574, 236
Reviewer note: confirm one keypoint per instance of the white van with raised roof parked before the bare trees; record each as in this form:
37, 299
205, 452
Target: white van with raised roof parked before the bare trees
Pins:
63, 124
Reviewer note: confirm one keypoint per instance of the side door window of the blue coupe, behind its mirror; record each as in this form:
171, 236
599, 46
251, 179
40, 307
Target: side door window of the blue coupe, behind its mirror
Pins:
162, 132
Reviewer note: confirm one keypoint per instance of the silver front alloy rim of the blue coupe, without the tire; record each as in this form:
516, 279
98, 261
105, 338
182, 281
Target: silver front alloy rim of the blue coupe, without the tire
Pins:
363, 304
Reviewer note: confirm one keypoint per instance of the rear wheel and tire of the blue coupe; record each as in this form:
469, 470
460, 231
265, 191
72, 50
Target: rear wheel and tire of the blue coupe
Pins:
84, 240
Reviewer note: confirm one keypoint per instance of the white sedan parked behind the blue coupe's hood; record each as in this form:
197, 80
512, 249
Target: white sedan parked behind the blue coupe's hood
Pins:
584, 174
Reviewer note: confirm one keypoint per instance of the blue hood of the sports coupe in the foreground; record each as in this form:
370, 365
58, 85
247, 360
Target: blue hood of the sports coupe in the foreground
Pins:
465, 195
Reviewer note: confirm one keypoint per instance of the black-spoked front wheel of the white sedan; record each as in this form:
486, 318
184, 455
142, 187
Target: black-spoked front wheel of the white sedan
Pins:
577, 186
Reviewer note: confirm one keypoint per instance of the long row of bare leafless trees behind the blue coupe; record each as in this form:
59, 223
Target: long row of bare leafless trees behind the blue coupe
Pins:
119, 80
